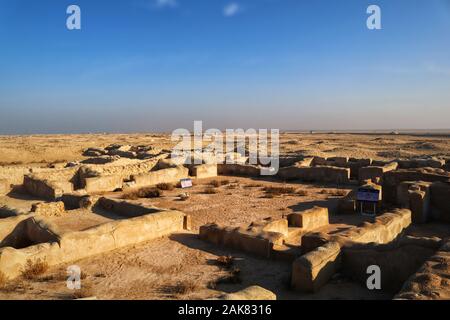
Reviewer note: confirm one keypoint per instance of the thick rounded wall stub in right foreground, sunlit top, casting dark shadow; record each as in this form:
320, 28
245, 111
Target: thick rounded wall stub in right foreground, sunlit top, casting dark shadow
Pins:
313, 270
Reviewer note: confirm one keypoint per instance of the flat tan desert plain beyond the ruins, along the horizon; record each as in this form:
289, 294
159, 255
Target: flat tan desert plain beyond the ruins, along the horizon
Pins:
63, 148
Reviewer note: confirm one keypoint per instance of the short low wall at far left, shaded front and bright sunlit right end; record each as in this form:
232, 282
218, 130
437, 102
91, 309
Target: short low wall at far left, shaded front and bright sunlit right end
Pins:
46, 189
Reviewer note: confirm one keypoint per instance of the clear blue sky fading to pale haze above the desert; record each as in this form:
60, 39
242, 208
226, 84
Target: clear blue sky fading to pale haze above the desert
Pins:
153, 65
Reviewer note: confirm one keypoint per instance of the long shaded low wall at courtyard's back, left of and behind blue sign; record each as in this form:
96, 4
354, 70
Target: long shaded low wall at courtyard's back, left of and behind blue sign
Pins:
316, 174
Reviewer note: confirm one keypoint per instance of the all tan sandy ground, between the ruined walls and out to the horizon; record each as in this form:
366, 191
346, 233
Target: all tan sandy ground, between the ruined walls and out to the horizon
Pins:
159, 268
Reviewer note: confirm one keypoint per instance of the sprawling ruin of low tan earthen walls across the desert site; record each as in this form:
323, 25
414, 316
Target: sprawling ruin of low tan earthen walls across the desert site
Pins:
317, 243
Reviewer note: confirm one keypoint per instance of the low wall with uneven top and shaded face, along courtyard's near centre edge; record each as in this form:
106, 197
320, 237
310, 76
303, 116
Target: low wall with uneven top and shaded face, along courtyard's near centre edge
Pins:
260, 243
